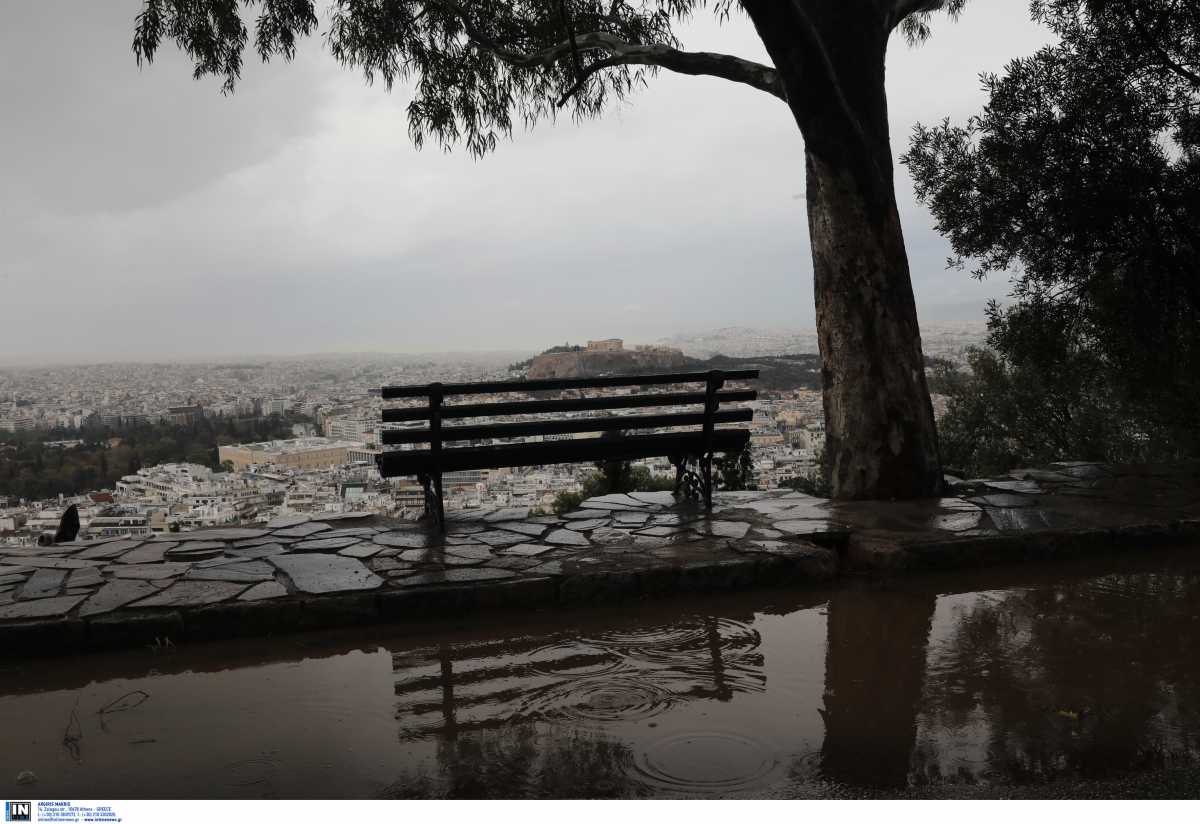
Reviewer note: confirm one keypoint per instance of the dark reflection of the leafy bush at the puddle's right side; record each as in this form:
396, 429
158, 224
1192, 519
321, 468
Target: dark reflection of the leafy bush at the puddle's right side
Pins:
1083, 679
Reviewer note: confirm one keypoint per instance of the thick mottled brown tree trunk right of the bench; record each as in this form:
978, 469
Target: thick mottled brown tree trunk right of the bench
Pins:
880, 435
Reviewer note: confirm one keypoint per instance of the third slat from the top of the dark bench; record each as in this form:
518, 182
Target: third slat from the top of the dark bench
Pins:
568, 426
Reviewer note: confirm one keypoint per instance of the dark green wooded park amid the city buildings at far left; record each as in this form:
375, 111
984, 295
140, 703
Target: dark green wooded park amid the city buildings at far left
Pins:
28, 470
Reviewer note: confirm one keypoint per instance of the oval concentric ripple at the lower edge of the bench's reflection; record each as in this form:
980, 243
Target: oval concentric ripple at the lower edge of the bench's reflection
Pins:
599, 700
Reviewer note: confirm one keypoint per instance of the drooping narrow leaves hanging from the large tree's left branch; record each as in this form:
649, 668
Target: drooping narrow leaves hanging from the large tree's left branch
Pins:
473, 67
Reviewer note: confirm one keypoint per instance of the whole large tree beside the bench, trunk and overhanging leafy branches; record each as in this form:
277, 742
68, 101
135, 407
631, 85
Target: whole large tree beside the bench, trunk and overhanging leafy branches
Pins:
477, 68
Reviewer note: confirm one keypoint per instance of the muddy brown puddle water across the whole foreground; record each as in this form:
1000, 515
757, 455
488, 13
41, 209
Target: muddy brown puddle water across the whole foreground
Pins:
1069, 679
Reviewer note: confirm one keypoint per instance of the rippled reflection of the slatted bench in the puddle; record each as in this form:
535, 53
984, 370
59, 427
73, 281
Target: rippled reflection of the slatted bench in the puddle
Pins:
626, 675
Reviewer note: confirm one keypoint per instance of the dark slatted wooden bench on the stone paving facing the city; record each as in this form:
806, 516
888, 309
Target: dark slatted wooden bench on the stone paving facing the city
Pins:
683, 448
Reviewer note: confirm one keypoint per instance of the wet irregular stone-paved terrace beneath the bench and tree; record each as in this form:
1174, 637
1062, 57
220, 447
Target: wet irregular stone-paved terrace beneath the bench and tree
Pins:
308, 573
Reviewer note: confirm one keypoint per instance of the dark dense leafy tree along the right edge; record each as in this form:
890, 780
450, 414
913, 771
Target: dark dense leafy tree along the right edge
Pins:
1083, 177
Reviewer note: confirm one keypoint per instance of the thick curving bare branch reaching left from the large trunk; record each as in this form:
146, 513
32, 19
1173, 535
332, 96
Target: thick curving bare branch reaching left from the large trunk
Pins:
761, 77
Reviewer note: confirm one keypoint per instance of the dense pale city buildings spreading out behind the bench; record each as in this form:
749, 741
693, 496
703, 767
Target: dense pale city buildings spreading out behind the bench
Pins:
325, 417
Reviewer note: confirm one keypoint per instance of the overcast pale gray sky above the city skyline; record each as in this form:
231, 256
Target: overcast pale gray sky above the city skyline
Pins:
145, 215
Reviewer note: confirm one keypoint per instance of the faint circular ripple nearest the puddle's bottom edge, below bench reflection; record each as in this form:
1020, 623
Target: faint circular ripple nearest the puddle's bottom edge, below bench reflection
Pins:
706, 763
